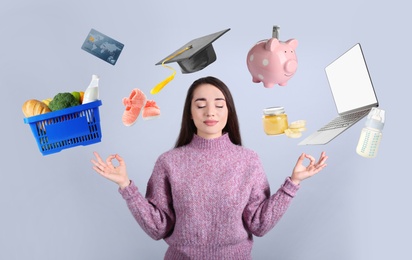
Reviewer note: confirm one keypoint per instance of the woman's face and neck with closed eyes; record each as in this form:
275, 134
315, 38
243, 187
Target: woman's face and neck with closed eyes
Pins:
209, 111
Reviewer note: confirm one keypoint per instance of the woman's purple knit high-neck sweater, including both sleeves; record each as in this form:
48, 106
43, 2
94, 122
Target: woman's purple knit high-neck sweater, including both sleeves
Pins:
207, 199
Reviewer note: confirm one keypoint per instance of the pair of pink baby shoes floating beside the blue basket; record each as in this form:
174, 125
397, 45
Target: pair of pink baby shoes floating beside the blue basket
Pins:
134, 104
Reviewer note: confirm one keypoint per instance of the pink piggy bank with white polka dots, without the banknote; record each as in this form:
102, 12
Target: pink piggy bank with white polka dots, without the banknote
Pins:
272, 61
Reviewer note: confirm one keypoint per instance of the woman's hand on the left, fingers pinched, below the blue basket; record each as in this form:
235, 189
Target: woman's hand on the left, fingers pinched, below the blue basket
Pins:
106, 169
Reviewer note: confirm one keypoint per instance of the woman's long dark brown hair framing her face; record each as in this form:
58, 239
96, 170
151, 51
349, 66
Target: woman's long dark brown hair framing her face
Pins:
188, 128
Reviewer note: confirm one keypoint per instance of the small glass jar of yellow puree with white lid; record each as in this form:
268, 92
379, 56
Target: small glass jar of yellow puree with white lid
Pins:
275, 121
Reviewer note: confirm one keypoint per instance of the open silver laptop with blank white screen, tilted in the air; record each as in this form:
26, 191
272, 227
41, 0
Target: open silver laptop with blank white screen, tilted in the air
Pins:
352, 91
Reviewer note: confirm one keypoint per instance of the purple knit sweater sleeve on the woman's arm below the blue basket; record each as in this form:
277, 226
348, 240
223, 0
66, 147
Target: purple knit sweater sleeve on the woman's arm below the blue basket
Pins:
154, 213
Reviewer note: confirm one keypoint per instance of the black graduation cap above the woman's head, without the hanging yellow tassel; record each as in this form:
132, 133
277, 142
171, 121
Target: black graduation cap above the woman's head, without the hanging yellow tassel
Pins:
196, 54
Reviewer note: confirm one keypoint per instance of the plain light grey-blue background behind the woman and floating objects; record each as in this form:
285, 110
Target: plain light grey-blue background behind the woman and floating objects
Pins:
56, 207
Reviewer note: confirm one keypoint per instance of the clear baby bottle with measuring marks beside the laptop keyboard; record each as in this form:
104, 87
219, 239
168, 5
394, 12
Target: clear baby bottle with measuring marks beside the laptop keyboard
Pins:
371, 134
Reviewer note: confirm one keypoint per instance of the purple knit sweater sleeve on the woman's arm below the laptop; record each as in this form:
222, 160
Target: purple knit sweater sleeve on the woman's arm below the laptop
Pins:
263, 210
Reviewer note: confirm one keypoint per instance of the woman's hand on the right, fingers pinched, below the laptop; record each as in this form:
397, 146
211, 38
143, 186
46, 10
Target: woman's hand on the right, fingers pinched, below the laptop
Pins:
301, 172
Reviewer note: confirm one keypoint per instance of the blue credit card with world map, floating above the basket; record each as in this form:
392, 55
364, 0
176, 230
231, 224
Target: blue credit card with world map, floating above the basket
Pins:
102, 46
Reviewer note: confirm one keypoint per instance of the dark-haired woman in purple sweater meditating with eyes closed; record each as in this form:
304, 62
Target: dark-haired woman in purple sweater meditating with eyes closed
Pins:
209, 195
